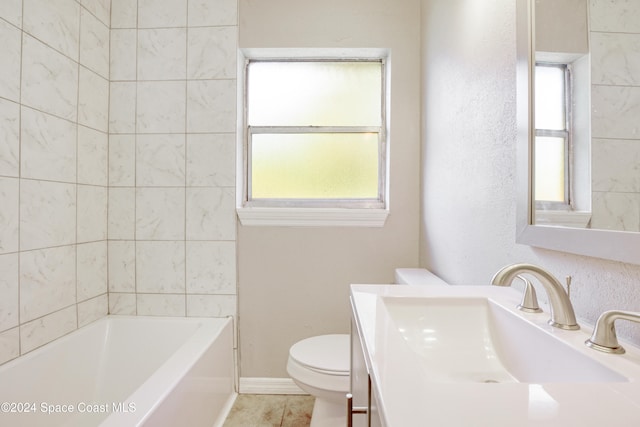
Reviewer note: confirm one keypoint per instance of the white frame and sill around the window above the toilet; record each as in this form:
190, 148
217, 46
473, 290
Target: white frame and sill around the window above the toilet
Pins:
312, 212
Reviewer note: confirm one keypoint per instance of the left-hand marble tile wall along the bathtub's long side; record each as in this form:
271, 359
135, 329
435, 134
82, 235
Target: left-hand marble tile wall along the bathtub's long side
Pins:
54, 93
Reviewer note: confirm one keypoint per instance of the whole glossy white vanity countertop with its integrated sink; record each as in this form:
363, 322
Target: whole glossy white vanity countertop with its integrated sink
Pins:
454, 356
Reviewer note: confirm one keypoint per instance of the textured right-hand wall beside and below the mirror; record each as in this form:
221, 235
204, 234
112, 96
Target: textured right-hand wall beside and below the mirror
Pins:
469, 157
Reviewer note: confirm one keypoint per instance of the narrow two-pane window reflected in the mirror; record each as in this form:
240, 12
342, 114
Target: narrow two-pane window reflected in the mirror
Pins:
552, 135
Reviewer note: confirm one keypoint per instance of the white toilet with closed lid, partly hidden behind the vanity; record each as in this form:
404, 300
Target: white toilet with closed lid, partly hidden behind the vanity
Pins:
320, 365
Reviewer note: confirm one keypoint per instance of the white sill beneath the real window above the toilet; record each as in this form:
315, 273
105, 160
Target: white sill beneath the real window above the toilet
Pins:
312, 217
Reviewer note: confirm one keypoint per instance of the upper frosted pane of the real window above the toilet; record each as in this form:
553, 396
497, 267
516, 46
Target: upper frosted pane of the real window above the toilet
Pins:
314, 93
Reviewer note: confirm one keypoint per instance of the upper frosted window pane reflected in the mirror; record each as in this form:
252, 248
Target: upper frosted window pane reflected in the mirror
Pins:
550, 98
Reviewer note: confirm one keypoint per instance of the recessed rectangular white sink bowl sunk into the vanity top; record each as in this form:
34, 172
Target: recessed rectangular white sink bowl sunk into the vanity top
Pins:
477, 340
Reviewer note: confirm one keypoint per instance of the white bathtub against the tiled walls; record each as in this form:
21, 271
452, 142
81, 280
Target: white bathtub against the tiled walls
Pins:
125, 371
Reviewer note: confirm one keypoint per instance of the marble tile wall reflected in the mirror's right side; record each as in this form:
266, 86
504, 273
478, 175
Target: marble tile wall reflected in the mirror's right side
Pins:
615, 74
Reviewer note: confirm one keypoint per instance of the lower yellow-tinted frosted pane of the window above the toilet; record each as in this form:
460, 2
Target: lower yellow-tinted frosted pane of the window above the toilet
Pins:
314, 166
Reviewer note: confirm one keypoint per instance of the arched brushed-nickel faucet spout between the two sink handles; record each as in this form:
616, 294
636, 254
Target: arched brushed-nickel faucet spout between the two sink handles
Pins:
562, 314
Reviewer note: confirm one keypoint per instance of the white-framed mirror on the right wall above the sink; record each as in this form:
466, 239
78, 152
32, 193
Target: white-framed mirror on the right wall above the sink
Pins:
604, 165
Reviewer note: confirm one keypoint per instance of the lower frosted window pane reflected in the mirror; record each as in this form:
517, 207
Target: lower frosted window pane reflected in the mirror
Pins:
549, 169
